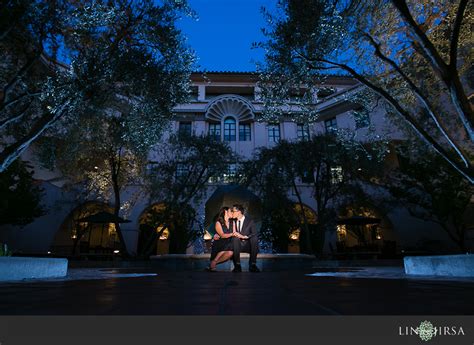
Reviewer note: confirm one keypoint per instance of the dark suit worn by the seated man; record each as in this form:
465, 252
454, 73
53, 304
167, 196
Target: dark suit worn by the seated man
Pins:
250, 246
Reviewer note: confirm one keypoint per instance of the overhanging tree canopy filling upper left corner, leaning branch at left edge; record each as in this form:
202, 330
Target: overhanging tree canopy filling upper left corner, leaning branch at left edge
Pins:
112, 50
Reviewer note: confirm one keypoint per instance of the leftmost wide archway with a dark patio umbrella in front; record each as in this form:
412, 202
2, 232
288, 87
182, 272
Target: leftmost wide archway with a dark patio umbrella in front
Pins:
75, 237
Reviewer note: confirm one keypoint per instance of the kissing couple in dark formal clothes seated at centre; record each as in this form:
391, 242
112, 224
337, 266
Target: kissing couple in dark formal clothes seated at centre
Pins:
235, 233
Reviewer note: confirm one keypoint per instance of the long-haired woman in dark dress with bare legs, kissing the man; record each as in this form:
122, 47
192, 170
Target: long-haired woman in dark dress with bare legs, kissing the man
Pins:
223, 246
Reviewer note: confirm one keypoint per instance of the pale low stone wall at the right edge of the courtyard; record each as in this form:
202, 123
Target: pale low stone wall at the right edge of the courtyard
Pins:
440, 265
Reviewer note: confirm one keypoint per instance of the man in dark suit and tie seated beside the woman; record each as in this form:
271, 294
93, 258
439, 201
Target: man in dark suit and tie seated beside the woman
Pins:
246, 227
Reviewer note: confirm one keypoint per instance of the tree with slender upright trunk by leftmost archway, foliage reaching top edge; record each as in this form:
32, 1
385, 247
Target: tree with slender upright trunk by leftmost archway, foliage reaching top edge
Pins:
128, 73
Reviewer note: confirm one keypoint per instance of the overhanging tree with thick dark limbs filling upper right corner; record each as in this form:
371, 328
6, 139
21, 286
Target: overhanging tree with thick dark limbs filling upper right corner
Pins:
417, 61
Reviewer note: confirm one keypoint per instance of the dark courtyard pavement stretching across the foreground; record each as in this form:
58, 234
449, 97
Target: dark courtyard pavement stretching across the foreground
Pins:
317, 291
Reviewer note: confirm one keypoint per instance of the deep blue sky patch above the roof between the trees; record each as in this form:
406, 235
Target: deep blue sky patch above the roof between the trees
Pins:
224, 32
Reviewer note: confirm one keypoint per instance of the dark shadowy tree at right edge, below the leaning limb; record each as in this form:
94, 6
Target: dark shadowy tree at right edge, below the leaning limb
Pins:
432, 191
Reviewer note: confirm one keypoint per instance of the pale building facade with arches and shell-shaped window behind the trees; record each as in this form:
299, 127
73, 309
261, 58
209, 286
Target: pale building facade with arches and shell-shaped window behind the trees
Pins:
226, 106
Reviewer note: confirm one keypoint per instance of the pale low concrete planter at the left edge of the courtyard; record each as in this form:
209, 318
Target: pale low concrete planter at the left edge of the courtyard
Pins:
18, 268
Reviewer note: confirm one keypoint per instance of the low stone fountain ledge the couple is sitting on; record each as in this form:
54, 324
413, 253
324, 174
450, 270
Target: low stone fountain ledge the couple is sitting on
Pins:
266, 262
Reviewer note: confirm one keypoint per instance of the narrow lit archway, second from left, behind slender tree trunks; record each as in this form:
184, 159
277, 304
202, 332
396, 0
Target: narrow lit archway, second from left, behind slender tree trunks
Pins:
154, 236
